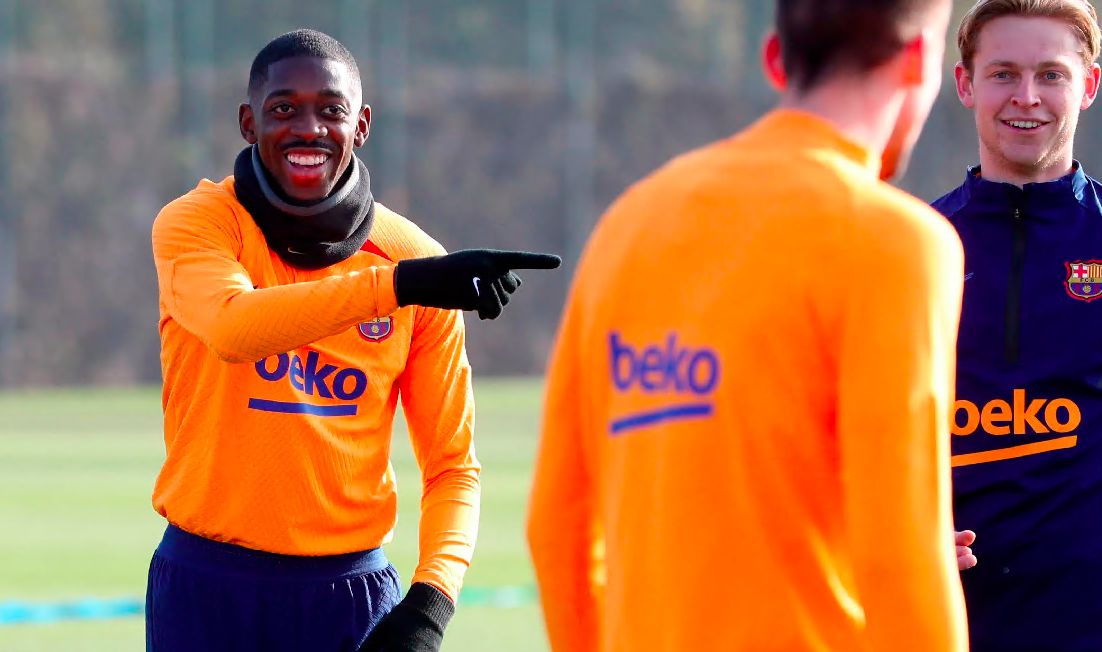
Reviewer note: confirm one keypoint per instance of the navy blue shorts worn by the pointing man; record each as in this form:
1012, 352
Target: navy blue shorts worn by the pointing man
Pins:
209, 596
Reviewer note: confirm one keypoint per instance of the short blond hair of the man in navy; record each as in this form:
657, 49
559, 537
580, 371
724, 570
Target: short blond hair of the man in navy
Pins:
1078, 14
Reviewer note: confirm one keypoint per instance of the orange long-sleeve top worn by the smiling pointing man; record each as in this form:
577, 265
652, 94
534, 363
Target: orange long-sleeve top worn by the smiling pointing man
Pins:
247, 341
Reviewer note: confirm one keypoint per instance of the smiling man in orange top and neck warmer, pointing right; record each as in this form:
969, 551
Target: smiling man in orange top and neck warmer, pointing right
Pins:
296, 312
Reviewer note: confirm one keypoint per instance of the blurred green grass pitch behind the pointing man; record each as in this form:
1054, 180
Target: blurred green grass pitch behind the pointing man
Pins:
78, 469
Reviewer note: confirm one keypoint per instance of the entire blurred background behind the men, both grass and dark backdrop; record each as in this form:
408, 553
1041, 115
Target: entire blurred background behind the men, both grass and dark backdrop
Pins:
505, 124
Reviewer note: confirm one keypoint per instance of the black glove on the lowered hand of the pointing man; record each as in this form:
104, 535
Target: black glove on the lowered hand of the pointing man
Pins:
415, 625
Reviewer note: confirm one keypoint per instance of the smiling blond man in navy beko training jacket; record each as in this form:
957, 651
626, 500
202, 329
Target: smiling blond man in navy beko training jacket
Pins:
1027, 452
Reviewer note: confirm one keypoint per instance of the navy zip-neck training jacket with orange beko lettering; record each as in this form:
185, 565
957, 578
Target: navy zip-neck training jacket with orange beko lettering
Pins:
1025, 339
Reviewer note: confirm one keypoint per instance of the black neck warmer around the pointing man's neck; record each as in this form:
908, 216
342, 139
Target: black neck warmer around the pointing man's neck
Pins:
311, 236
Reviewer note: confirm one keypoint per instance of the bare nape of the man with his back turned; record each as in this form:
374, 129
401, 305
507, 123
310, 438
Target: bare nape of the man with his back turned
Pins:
863, 111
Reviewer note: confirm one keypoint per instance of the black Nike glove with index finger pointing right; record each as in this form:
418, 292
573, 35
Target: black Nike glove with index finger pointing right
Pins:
469, 280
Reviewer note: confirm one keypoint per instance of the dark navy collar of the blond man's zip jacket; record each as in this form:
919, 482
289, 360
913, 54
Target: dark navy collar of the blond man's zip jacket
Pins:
1033, 200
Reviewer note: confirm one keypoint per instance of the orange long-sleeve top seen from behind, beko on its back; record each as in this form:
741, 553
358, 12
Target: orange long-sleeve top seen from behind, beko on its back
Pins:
747, 434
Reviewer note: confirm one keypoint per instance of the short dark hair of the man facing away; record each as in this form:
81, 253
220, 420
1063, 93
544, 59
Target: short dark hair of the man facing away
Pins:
820, 38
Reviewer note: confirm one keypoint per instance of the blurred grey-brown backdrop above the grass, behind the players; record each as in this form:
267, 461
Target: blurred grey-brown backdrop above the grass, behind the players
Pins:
504, 124
